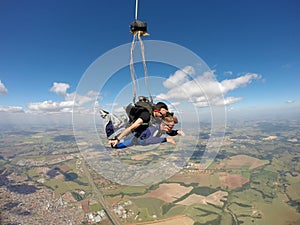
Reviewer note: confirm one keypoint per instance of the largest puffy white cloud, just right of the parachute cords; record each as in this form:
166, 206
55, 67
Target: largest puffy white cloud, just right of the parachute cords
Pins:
205, 90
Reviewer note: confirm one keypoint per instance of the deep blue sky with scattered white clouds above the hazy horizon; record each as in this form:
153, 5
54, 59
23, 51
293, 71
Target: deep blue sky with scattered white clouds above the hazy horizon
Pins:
251, 47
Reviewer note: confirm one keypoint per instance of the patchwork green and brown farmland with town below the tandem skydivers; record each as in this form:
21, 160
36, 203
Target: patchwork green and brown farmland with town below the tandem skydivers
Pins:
254, 179
